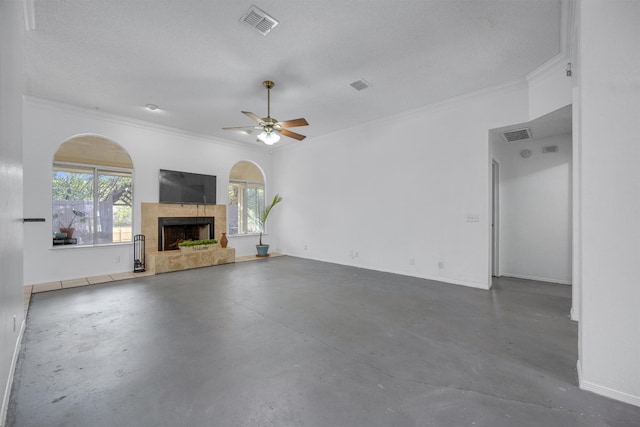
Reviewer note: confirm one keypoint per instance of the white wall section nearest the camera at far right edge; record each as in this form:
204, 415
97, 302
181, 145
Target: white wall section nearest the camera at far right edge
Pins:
610, 203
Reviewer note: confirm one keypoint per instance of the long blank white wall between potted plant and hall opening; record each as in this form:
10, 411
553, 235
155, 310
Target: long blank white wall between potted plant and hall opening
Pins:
397, 192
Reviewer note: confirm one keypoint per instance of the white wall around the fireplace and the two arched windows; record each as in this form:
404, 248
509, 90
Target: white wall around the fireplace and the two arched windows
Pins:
47, 125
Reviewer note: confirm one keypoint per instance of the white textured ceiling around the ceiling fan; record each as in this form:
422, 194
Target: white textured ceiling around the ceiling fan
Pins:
201, 65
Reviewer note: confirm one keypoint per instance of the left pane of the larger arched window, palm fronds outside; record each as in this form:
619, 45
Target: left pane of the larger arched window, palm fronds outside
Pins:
73, 203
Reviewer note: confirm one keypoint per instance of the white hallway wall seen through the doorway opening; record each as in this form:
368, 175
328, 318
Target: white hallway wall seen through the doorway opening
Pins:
535, 210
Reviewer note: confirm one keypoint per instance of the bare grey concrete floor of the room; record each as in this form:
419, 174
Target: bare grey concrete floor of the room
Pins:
293, 342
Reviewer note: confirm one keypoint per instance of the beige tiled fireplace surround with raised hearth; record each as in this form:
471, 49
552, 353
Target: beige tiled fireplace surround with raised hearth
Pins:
165, 261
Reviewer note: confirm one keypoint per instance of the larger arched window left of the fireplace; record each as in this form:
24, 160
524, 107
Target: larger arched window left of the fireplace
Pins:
92, 193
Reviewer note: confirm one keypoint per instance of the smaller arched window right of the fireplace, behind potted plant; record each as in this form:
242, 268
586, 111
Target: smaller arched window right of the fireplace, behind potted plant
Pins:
246, 198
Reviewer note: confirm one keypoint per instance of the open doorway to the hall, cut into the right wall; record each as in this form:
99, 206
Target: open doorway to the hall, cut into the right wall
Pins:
531, 200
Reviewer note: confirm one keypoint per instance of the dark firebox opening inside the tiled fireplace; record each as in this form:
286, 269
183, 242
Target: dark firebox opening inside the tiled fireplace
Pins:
173, 230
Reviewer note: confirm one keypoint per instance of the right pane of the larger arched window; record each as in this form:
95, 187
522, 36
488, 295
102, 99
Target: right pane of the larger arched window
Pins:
114, 214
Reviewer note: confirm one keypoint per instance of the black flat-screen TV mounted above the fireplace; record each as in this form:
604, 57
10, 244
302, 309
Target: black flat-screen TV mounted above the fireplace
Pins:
186, 187
